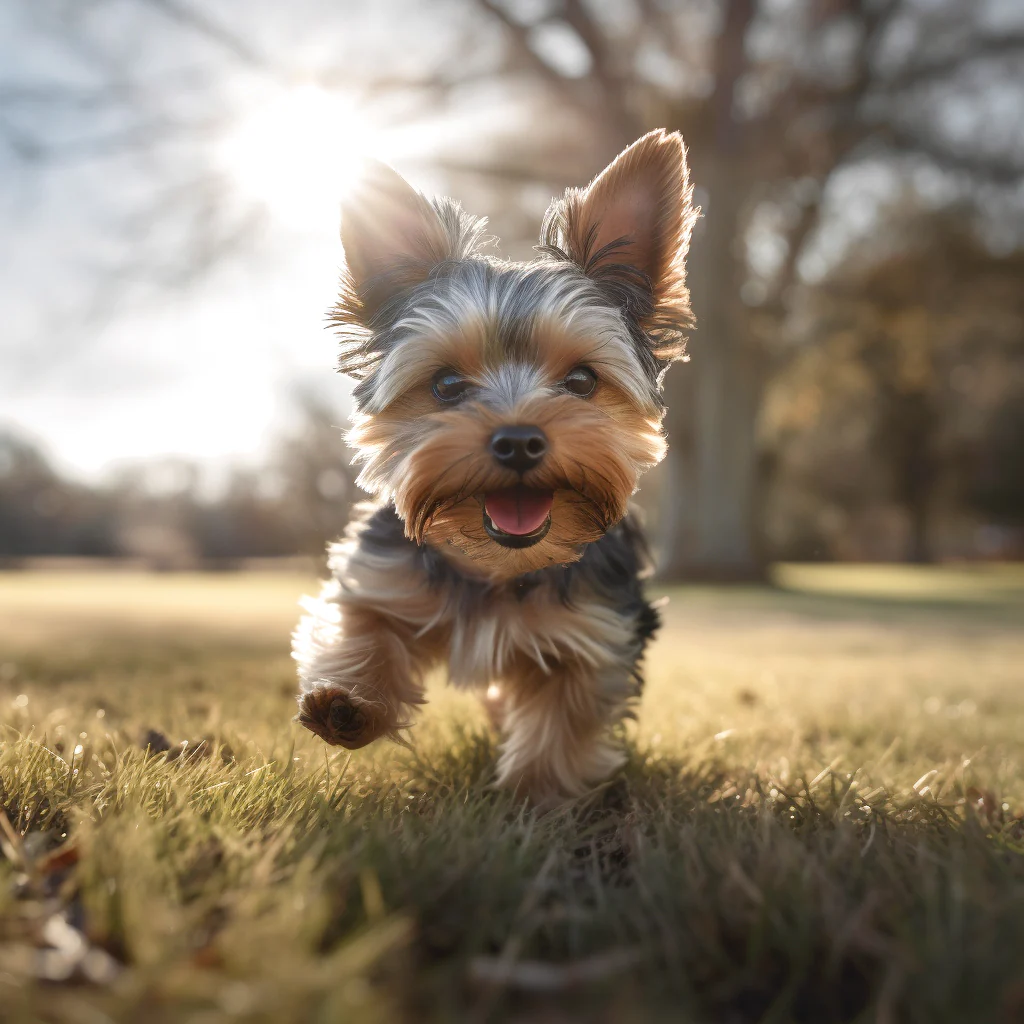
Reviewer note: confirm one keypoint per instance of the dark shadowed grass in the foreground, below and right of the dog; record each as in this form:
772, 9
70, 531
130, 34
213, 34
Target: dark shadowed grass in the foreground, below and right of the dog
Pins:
684, 892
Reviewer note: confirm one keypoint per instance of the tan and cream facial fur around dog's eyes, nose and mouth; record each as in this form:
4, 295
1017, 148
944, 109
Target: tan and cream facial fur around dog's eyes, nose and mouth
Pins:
435, 464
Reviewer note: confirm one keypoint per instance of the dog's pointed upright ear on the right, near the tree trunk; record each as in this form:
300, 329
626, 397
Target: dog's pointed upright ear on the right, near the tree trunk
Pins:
630, 230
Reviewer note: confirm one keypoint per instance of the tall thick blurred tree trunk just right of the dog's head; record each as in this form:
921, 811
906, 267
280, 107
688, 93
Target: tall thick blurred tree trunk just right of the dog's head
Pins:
709, 519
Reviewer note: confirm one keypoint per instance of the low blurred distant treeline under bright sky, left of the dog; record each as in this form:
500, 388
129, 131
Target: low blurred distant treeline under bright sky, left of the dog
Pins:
167, 515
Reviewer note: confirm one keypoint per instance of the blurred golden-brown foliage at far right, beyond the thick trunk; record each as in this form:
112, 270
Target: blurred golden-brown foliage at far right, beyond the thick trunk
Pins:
904, 394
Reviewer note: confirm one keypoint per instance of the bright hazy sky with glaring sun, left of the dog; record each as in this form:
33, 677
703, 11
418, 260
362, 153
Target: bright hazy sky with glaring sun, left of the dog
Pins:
106, 358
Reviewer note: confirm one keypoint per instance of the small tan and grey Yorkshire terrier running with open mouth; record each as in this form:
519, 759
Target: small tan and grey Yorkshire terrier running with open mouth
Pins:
504, 415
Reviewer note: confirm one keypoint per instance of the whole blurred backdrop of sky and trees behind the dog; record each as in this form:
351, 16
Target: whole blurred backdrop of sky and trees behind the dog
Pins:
172, 172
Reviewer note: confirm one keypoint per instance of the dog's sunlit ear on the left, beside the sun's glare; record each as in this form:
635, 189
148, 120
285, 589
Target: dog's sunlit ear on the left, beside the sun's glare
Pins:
393, 239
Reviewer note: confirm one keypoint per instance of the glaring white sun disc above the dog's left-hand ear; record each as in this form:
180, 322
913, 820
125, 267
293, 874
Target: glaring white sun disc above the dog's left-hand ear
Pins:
301, 152
